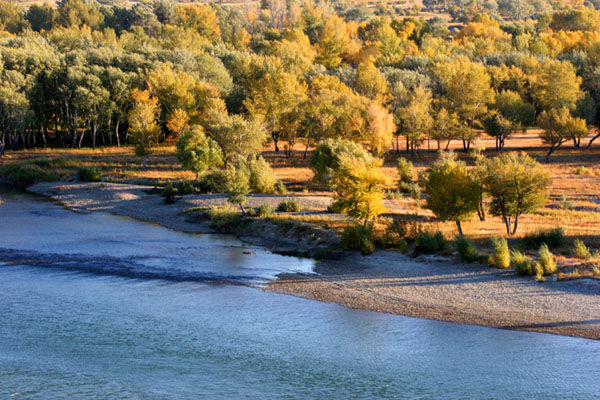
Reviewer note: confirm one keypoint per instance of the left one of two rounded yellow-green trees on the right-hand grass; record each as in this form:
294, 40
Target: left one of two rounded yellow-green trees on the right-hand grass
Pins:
452, 193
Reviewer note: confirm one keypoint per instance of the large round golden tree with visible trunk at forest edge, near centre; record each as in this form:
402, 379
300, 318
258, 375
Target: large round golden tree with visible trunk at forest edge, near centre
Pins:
274, 96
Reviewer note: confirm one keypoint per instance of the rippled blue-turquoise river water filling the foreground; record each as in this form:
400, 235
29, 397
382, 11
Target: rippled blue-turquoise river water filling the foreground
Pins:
100, 307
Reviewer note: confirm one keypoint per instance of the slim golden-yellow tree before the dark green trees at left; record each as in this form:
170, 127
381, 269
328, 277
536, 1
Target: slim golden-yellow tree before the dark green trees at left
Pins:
142, 122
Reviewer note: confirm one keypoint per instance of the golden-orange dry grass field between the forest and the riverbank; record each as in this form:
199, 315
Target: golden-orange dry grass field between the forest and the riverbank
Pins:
574, 204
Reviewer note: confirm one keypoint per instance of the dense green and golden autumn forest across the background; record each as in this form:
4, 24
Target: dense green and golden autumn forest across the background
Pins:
87, 73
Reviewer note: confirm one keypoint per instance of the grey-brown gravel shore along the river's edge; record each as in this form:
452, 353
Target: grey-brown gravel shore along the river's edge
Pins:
384, 281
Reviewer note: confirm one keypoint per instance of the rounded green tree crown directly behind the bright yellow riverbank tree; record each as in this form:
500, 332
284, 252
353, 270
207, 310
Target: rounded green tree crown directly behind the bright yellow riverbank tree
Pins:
326, 157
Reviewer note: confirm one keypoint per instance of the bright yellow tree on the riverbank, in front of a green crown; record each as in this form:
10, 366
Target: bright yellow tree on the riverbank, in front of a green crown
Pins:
358, 187
